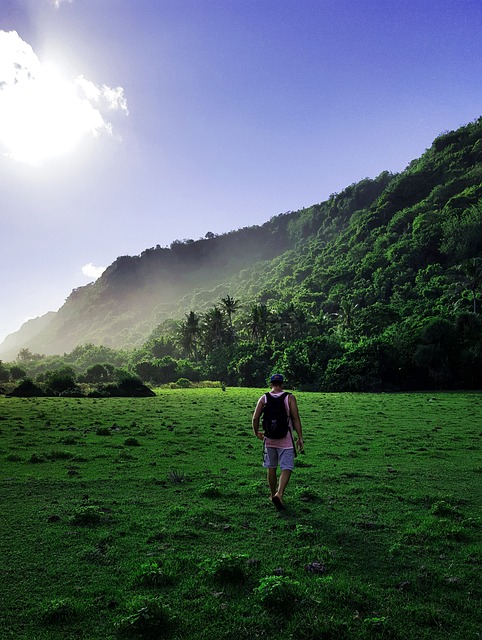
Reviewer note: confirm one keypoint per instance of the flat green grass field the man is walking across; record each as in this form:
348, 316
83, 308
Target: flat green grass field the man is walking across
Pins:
150, 518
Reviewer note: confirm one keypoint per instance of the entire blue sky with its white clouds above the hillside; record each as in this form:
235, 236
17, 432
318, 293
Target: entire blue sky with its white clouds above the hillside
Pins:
130, 123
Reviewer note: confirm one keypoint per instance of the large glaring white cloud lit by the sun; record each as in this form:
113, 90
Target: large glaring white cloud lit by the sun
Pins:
43, 114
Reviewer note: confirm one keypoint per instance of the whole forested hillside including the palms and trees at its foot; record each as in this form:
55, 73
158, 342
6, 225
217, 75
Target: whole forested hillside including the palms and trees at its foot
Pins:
377, 288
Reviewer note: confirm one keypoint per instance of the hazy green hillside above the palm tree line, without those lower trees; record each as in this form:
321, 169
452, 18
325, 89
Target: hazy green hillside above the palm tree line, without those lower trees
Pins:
370, 244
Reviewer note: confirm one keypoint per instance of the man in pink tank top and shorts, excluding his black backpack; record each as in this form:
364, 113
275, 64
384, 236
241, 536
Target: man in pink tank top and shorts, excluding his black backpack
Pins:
279, 451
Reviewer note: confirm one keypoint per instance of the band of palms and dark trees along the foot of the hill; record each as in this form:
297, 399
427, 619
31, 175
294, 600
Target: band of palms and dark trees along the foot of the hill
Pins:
241, 346
